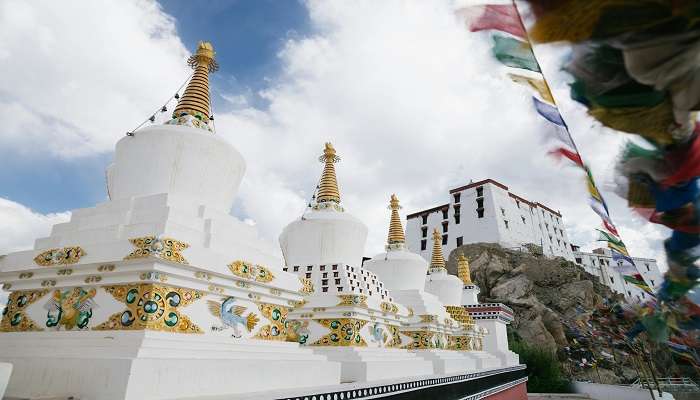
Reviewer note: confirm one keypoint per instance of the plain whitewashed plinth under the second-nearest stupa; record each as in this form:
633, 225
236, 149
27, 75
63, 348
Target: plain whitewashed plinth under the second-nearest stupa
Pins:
360, 364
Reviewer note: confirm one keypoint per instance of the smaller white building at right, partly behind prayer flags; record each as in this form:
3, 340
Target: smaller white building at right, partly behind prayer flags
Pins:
600, 263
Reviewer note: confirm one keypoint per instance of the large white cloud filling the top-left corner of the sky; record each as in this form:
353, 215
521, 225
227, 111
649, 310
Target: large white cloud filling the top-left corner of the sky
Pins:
77, 75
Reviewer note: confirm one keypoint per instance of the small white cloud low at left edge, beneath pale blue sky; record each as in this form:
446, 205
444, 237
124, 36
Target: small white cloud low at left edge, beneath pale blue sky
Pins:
20, 226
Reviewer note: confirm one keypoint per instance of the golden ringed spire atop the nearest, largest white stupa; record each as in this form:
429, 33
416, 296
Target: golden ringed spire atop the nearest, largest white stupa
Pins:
195, 100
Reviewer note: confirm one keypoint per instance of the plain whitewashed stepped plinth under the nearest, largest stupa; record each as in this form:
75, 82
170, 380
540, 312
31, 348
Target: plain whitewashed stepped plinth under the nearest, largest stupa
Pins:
156, 365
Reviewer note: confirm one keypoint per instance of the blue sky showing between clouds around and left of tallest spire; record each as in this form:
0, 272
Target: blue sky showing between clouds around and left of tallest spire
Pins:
247, 35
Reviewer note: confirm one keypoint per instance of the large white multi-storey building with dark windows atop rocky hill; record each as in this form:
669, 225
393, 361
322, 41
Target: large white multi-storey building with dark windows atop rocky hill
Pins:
486, 211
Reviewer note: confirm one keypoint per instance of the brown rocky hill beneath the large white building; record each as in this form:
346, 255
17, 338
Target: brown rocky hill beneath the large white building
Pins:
543, 292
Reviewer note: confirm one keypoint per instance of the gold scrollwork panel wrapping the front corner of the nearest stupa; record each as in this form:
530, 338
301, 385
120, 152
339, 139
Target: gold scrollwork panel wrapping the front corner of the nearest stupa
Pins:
152, 307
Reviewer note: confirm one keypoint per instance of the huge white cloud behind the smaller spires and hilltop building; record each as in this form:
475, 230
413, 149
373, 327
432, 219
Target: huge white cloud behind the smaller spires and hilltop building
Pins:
415, 105
